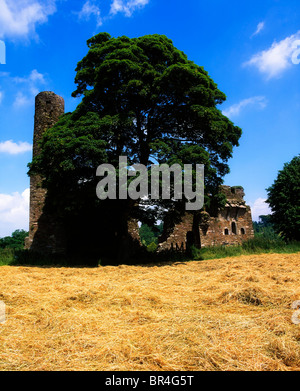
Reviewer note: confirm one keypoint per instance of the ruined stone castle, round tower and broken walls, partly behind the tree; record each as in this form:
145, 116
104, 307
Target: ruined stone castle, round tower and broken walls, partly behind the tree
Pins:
232, 225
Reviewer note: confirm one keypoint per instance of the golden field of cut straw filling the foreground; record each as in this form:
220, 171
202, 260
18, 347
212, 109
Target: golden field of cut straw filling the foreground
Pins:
225, 314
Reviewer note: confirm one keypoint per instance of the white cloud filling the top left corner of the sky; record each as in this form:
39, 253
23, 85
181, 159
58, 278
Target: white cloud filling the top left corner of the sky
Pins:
19, 18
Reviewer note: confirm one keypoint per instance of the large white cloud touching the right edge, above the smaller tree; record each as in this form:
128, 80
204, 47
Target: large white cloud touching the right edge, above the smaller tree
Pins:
275, 60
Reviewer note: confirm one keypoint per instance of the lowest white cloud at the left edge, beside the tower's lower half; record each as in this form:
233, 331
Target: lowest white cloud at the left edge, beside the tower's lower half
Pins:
14, 212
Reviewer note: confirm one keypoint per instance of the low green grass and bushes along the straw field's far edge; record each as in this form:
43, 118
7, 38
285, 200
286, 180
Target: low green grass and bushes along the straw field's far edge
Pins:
265, 241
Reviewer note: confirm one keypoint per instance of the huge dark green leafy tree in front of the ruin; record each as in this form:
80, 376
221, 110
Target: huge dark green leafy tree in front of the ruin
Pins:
142, 98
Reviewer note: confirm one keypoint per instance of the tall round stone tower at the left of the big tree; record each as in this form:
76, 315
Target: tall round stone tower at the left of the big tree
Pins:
43, 231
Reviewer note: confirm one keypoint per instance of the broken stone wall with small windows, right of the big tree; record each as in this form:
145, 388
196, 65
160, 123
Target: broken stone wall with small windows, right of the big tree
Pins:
232, 226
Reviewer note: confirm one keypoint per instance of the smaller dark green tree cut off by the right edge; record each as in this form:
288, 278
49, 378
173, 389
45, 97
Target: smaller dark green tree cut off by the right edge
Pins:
284, 200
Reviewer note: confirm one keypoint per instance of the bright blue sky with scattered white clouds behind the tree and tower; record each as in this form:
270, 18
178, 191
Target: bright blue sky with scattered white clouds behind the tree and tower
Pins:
250, 49
